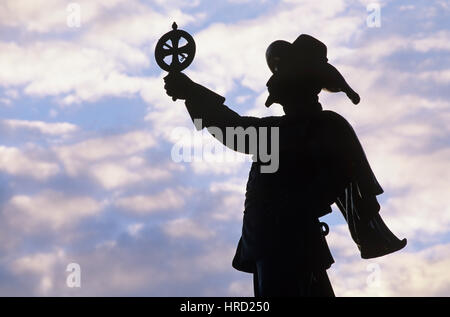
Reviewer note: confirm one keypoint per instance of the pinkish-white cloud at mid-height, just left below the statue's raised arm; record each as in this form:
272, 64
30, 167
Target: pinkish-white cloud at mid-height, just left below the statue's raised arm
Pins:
116, 160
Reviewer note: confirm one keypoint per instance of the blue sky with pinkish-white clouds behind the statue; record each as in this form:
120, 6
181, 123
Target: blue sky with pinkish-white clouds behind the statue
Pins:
87, 132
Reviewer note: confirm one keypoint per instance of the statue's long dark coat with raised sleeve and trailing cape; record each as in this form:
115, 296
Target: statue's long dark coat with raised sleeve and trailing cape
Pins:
321, 162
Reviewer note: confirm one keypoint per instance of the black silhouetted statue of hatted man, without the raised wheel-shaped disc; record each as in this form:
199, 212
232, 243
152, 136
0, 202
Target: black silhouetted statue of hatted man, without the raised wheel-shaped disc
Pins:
321, 162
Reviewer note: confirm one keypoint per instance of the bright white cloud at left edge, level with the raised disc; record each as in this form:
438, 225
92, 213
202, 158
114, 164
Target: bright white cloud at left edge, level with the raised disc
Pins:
42, 67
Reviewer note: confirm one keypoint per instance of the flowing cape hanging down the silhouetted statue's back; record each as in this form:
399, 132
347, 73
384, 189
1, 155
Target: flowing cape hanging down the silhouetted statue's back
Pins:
357, 202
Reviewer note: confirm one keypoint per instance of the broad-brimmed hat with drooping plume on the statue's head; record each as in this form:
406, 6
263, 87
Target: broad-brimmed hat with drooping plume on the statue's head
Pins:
311, 53
